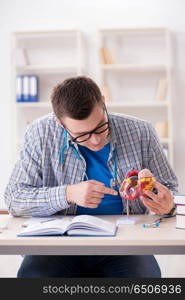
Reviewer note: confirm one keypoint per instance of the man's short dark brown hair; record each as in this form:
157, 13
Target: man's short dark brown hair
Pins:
75, 97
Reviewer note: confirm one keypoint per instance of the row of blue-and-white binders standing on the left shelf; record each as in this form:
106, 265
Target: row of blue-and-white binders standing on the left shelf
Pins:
27, 88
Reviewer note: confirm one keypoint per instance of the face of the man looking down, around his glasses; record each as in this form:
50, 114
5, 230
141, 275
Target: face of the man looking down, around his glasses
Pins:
79, 127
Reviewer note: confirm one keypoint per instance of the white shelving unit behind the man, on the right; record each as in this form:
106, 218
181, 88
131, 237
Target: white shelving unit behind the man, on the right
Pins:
135, 73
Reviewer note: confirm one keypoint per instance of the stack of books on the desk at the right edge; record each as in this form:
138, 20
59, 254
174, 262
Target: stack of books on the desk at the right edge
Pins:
180, 211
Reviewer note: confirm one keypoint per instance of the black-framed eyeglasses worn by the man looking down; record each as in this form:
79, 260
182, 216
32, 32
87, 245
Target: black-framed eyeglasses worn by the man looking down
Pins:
86, 136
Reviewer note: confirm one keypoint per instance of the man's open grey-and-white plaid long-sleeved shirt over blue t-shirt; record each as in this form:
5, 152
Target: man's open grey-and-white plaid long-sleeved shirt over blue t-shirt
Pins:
37, 186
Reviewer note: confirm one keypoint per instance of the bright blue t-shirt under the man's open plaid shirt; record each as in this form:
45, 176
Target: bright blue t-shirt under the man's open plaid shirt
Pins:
97, 169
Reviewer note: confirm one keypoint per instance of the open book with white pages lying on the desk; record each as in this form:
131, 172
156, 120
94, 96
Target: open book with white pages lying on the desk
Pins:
82, 225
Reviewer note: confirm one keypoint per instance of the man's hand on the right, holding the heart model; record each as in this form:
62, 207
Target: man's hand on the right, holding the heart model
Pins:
162, 203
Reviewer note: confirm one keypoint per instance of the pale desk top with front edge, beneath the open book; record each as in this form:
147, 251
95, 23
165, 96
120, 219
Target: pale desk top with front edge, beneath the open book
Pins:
130, 239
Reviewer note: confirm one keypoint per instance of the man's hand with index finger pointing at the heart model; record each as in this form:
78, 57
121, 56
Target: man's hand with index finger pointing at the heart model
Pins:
88, 193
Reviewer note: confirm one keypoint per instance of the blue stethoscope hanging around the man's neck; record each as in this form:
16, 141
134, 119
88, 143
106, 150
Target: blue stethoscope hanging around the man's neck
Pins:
113, 181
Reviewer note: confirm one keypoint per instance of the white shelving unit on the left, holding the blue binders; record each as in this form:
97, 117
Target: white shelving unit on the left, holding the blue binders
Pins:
52, 56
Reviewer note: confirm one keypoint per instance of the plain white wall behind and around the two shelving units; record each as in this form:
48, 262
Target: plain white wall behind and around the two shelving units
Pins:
88, 16
